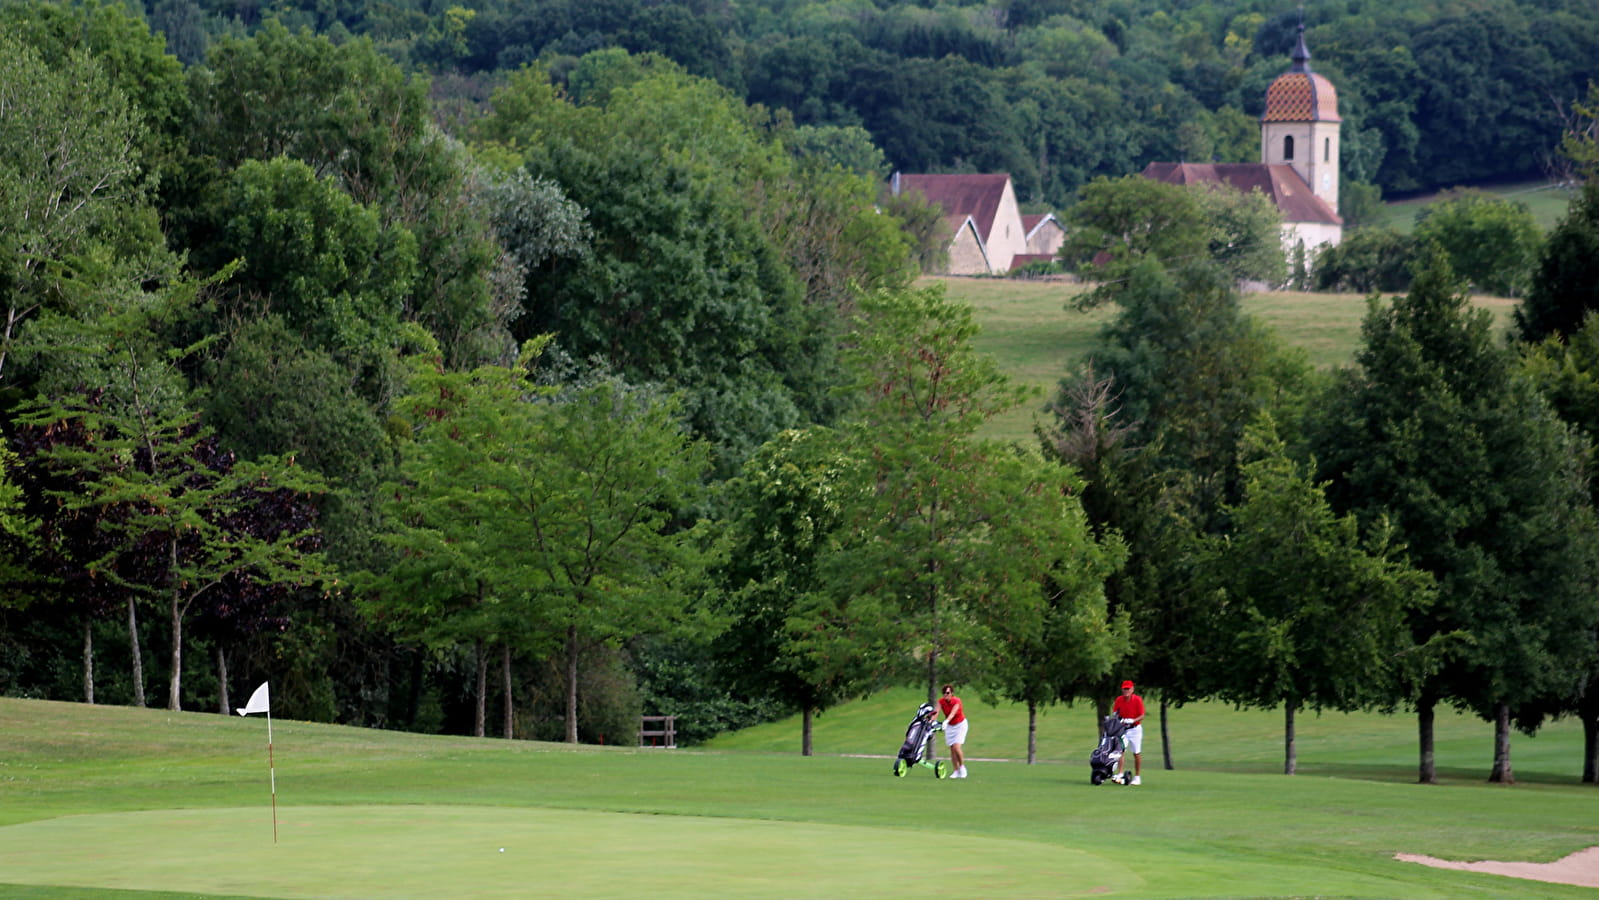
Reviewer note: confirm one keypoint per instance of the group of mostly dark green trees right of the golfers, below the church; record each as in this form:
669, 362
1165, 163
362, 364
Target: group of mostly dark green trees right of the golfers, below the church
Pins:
1411, 532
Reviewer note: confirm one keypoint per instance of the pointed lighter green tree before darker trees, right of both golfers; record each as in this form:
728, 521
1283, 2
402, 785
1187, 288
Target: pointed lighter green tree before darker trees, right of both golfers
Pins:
1310, 611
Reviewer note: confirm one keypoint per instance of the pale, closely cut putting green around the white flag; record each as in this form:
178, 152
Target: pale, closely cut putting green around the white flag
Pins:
437, 851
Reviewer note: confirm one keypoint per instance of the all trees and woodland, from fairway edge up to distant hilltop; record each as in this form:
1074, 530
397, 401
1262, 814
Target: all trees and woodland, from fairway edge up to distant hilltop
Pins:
573, 360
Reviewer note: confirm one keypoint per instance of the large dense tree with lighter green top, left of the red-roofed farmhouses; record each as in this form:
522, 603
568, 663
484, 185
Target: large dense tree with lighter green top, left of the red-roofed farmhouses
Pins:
685, 285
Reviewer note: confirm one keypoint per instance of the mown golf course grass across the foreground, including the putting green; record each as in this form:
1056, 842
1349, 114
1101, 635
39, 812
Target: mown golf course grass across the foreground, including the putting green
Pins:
98, 802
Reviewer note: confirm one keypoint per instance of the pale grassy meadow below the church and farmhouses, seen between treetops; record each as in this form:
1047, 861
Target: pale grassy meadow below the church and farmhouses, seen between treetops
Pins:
1037, 337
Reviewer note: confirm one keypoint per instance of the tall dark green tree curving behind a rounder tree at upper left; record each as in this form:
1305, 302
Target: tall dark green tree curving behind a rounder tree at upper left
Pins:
357, 121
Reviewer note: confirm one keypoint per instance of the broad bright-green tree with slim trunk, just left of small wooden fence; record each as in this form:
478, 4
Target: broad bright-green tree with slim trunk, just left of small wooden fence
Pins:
551, 522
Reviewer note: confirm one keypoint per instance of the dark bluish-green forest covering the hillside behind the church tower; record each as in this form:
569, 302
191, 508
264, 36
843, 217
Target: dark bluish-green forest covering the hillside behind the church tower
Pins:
1055, 92
